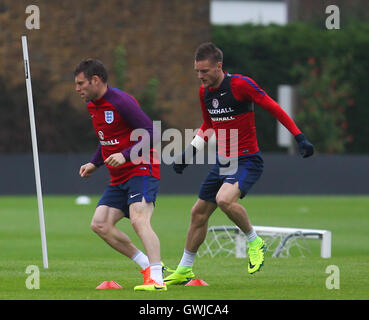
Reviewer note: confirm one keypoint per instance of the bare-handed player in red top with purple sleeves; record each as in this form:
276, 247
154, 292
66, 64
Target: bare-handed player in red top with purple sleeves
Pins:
133, 187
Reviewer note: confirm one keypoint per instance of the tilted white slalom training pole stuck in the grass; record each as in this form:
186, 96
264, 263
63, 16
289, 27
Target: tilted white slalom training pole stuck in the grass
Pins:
35, 151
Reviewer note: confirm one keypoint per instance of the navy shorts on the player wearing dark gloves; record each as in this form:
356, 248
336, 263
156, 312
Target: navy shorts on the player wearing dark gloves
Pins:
249, 170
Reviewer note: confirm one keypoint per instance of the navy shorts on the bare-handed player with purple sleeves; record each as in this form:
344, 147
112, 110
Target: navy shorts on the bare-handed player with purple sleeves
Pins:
133, 190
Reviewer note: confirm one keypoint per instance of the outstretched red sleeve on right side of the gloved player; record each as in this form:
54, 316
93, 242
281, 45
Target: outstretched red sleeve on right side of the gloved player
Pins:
245, 88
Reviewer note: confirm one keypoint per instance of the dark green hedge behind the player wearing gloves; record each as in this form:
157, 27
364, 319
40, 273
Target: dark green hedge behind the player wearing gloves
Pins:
274, 55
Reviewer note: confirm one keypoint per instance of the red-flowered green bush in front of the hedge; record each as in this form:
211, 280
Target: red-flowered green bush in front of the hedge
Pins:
324, 95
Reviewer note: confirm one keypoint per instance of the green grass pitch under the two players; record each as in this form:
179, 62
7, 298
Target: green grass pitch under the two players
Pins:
79, 260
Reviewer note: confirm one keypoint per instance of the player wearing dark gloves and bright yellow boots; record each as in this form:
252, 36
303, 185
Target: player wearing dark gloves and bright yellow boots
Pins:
227, 103
